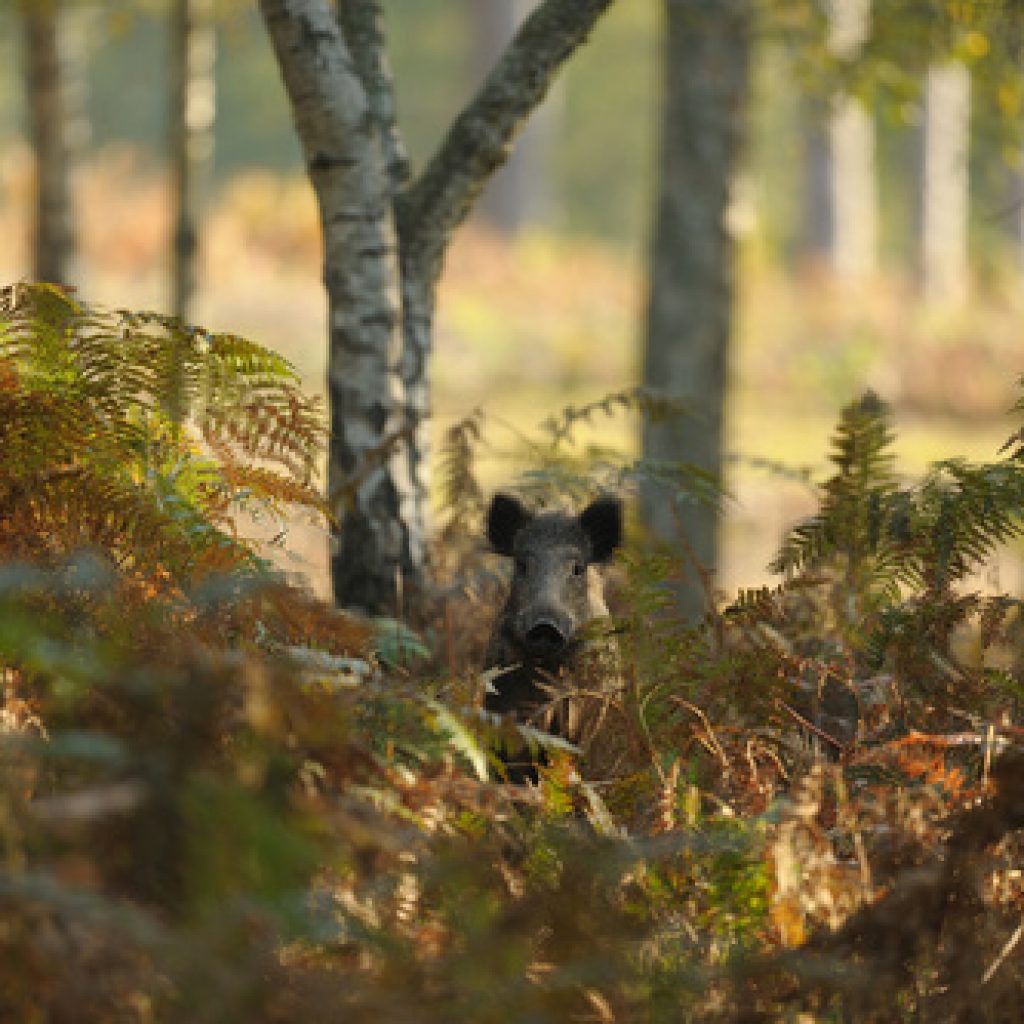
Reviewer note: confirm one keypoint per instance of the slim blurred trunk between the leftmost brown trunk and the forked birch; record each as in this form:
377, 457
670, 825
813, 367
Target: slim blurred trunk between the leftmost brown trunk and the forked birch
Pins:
193, 54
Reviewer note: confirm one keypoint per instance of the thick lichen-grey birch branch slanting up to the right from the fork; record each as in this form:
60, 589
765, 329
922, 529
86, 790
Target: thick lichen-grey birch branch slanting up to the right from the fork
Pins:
478, 143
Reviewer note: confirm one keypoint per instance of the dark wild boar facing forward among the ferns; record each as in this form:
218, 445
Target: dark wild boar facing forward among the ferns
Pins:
541, 637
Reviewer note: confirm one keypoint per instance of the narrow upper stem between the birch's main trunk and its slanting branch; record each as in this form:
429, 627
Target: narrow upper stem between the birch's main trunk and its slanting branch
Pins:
362, 24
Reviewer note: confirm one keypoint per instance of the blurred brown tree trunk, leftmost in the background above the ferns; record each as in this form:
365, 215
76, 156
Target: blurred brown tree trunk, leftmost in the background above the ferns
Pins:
55, 76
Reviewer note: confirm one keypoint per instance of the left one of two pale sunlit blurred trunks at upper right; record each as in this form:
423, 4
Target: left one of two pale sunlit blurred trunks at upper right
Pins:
842, 193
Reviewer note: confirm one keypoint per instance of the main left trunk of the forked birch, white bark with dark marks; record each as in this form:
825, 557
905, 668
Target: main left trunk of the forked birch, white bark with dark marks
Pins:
346, 162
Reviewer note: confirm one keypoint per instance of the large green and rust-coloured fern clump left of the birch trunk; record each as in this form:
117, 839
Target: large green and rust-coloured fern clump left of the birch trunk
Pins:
97, 450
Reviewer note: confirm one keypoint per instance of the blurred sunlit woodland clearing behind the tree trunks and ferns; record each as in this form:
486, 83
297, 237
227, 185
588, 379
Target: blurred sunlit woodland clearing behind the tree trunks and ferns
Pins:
561, 274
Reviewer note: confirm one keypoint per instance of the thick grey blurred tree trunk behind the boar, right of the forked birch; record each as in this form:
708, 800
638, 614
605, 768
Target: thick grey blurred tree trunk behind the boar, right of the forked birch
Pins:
691, 307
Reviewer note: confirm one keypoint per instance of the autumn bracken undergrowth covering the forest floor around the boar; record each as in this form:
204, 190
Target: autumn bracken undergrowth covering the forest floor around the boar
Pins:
224, 801
